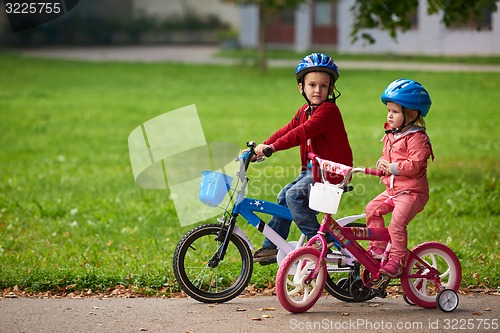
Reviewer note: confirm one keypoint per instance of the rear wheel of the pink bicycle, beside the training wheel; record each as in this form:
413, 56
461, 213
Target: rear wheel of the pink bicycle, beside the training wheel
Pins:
423, 292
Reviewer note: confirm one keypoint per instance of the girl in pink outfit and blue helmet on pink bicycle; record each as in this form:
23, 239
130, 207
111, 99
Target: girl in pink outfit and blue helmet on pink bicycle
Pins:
404, 162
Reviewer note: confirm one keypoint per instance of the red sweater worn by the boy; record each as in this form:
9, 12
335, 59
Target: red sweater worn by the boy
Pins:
325, 128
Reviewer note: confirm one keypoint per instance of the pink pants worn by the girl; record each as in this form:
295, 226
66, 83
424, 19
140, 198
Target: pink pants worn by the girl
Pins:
406, 206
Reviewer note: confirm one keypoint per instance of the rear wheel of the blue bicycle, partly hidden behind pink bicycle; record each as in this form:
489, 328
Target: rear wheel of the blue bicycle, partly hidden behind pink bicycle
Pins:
338, 284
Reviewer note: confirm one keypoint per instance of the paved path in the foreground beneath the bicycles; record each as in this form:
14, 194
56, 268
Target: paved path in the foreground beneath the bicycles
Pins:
475, 313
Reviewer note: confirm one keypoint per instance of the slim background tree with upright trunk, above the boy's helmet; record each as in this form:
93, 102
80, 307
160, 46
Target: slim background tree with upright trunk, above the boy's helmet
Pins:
267, 8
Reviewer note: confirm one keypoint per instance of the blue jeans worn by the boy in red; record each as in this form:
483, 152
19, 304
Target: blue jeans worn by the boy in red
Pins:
295, 196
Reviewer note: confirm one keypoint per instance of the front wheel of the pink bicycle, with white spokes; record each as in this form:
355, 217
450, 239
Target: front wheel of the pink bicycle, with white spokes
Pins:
294, 295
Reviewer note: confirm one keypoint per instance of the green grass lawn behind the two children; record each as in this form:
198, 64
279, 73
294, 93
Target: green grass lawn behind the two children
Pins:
72, 218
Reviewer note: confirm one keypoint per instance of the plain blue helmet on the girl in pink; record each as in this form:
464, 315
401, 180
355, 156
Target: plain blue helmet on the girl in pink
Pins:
409, 94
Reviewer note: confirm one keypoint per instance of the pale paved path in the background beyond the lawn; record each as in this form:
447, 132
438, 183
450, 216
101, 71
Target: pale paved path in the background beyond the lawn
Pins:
206, 55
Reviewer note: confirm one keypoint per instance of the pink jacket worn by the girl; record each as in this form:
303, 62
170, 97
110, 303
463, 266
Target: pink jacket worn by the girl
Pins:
408, 155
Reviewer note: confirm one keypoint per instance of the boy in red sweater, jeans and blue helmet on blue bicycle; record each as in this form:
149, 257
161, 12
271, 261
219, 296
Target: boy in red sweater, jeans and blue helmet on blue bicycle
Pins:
316, 127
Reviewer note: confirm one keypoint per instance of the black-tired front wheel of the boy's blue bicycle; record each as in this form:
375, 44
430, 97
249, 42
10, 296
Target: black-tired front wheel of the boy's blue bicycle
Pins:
203, 283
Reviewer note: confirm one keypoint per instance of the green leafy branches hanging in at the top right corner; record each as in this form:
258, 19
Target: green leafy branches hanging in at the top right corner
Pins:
394, 16
